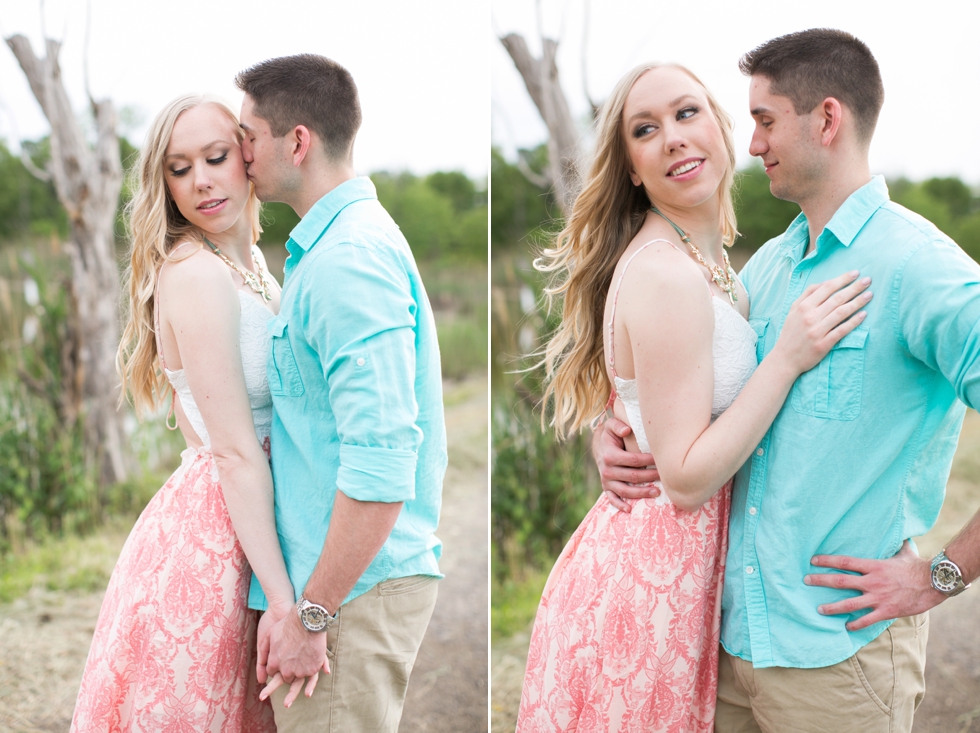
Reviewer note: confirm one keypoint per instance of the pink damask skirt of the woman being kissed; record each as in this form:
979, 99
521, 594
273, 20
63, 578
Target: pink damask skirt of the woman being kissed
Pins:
175, 638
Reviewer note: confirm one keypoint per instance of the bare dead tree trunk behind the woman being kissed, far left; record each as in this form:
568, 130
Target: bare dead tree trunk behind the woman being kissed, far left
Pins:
87, 179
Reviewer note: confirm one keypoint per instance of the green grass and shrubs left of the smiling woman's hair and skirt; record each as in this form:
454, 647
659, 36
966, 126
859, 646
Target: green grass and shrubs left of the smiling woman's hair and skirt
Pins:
540, 488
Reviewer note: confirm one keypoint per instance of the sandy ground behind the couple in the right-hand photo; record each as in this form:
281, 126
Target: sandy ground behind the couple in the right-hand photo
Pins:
952, 701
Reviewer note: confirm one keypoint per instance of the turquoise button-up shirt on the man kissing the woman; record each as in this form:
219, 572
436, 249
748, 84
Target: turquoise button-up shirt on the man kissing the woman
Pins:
357, 389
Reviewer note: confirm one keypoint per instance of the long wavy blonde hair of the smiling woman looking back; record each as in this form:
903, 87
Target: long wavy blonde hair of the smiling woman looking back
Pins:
605, 217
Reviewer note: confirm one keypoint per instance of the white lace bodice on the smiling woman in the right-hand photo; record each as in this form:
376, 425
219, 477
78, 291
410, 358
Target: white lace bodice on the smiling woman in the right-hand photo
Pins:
734, 355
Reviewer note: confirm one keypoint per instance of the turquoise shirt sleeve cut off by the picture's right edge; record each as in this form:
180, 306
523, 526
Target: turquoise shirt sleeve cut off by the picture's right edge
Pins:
938, 293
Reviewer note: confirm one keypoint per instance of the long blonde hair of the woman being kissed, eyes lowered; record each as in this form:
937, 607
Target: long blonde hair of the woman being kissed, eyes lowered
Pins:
156, 226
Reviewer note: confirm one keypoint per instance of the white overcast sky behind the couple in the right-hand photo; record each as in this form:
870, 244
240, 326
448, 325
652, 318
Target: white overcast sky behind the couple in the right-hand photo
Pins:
928, 52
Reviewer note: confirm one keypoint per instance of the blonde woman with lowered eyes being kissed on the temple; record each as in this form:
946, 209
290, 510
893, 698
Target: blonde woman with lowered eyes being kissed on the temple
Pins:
175, 639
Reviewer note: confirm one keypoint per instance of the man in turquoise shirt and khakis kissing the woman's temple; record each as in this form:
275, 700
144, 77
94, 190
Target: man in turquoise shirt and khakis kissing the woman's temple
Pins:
359, 445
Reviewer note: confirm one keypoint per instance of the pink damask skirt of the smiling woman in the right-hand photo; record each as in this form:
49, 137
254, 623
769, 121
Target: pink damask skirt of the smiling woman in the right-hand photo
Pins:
626, 636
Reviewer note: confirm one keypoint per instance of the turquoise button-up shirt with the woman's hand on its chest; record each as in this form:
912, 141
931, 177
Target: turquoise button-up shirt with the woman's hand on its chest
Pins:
858, 458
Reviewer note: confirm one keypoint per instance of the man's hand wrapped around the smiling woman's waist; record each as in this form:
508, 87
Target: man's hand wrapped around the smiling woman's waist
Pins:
624, 475
